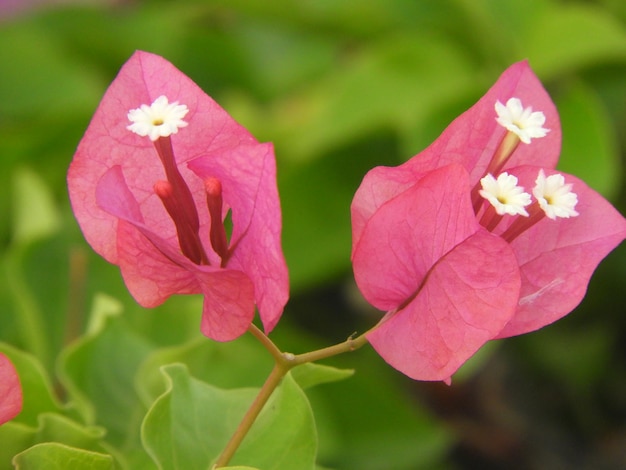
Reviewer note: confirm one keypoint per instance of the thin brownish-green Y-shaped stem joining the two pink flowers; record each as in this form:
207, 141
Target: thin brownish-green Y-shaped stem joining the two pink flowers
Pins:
283, 363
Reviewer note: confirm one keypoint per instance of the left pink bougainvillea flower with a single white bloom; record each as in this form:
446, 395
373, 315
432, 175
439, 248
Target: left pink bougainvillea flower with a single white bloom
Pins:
160, 174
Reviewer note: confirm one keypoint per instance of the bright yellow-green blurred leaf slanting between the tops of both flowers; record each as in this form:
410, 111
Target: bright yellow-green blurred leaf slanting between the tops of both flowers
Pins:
394, 83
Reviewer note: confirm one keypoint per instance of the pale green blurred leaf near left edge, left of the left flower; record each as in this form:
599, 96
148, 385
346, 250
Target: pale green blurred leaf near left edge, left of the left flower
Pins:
34, 212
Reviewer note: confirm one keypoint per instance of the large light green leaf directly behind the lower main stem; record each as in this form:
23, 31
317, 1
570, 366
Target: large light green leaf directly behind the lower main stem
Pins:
189, 425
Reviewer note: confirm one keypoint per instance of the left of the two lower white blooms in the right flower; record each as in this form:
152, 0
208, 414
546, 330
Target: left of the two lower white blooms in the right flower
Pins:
504, 194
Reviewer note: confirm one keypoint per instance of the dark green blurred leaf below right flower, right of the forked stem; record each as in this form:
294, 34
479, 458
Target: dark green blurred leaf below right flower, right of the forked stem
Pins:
372, 421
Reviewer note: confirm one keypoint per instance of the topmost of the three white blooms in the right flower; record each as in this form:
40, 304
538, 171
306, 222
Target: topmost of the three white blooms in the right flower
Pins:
521, 121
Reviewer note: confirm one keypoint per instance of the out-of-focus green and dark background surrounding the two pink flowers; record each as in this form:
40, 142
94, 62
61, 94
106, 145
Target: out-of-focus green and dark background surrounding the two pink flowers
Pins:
339, 86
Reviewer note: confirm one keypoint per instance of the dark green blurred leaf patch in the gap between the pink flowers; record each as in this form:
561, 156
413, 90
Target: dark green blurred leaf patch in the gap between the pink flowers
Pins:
315, 199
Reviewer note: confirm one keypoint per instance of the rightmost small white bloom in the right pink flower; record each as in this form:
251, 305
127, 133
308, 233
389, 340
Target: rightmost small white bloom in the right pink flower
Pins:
555, 197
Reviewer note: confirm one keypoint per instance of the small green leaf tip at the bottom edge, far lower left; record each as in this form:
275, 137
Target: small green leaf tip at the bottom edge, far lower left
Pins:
54, 456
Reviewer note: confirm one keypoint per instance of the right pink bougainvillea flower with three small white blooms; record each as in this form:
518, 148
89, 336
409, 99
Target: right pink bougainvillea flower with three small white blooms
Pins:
531, 237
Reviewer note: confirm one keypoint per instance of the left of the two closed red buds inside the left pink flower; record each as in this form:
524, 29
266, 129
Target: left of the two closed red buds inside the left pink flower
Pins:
188, 239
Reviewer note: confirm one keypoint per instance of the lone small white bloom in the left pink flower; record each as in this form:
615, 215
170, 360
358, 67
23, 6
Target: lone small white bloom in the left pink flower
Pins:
160, 119
